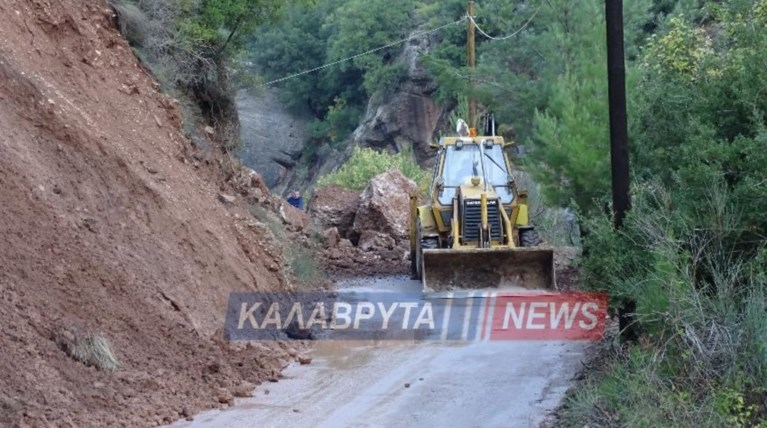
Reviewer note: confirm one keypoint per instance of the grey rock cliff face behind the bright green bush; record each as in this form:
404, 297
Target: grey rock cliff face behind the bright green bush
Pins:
274, 138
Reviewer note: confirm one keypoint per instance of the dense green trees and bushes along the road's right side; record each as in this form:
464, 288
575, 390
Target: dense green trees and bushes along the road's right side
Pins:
692, 252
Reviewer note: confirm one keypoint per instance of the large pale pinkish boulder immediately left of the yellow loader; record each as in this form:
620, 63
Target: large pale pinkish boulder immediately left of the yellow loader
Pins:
384, 207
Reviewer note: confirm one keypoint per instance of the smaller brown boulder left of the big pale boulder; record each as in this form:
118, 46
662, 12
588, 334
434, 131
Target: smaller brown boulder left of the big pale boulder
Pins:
335, 206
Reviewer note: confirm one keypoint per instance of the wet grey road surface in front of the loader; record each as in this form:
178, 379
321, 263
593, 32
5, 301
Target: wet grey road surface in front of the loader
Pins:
357, 384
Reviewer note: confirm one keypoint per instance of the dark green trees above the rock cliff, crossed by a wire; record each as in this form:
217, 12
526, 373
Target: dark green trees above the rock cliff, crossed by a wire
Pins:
327, 31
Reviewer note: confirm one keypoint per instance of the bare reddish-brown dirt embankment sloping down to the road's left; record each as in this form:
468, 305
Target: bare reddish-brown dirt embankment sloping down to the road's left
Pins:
111, 226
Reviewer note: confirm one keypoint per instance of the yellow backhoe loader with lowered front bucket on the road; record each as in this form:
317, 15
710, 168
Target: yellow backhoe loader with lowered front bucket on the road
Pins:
475, 234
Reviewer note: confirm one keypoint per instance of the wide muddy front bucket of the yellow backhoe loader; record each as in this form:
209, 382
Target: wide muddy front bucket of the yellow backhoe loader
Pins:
488, 268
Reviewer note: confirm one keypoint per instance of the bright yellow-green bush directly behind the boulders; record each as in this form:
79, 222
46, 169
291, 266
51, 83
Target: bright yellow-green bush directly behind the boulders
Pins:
365, 164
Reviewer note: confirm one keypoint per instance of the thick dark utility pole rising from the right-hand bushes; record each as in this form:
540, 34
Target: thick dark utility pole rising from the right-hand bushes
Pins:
616, 82
